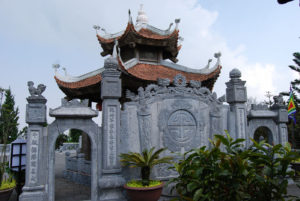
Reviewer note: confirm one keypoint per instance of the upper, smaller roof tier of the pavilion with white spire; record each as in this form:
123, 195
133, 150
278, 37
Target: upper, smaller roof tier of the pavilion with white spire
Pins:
142, 34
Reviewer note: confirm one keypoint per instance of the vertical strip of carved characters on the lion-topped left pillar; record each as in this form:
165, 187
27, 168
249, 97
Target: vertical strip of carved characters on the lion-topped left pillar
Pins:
34, 141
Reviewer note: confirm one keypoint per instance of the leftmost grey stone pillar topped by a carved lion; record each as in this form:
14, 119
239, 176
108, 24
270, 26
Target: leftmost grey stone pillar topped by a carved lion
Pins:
34, 188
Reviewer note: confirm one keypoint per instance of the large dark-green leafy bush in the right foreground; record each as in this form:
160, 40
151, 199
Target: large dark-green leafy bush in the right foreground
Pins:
227, 171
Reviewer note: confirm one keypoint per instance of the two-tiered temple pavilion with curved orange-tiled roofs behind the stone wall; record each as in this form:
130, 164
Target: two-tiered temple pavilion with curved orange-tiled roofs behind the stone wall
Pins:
144, 53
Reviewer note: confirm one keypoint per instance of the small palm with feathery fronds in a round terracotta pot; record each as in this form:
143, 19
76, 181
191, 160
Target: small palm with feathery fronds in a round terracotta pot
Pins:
144, 189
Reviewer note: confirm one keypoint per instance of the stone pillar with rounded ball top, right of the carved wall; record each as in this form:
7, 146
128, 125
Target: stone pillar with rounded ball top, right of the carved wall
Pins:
236, 96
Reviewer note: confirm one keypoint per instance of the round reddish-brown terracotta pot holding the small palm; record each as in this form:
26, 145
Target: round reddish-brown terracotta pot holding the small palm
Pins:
144, 193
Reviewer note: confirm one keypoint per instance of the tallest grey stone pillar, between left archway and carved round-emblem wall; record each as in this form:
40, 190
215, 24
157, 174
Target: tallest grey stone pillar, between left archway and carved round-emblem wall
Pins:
111, 181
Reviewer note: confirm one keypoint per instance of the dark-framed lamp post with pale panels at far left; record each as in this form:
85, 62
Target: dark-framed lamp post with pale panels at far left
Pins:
18, 160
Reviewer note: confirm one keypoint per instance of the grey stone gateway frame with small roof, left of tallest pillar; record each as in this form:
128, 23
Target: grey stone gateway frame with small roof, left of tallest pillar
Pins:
74, 115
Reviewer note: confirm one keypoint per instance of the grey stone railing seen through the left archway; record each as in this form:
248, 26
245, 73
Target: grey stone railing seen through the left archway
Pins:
77, 169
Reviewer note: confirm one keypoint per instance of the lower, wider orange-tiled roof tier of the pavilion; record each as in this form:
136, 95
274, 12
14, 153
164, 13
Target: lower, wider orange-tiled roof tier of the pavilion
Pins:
87, 85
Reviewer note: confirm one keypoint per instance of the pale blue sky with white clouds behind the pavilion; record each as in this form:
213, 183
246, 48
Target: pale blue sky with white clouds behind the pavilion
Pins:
258, 37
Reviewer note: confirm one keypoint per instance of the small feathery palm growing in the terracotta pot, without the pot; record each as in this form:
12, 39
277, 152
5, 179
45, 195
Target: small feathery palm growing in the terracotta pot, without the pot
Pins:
146, 161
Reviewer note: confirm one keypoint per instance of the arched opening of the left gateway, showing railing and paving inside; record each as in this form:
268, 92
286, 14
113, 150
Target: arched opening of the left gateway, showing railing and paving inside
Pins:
72, 166
